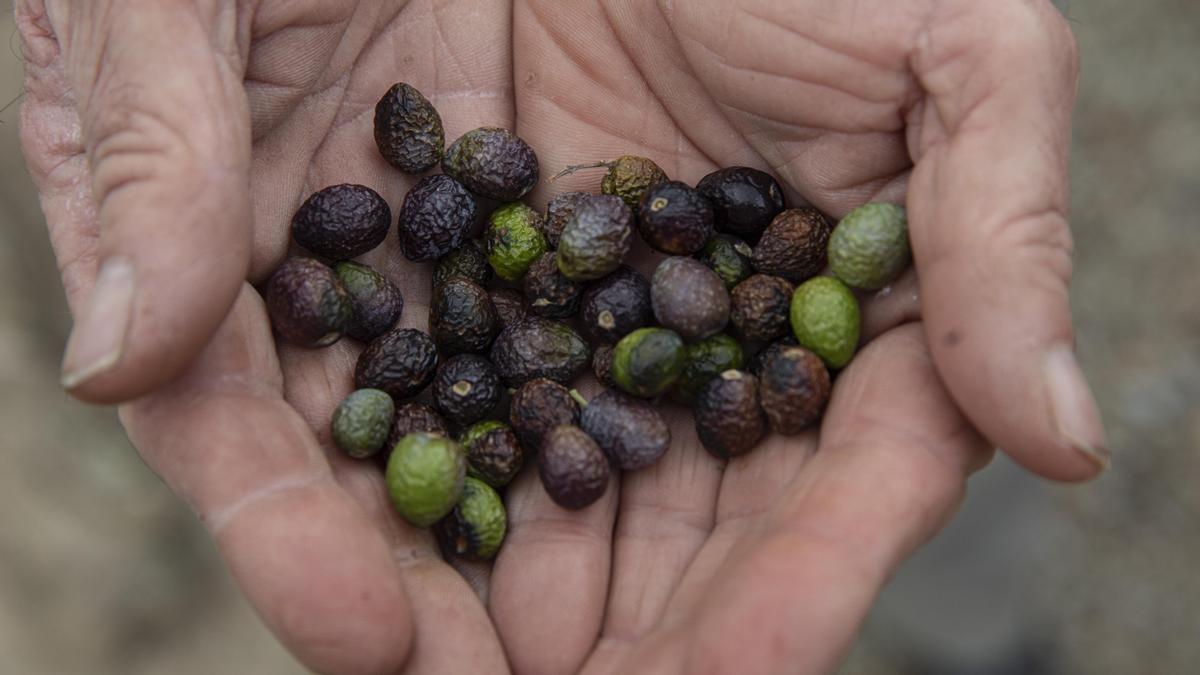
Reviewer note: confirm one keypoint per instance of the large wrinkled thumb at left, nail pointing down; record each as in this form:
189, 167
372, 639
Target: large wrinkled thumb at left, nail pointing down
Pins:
165, 129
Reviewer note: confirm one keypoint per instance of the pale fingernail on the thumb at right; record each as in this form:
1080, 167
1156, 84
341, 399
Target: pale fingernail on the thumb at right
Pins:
1075, 410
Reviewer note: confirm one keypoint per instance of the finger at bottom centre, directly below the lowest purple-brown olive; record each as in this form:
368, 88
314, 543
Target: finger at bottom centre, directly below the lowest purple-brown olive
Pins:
551, 578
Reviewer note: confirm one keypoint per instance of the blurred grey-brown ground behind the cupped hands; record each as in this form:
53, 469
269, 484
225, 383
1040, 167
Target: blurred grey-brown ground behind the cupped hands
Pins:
104, 572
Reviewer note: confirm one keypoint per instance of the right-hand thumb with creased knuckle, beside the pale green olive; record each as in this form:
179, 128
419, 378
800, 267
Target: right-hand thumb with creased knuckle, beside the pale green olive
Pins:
988, 205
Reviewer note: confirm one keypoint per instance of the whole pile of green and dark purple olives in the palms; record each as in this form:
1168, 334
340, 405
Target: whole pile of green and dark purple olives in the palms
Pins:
736, 320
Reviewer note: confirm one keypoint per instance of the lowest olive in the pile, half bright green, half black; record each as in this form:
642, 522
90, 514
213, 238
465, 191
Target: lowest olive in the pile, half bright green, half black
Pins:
476, 528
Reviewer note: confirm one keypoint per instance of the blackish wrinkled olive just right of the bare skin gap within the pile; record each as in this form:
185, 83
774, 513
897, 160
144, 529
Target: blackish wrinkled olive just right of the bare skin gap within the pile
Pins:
463, 319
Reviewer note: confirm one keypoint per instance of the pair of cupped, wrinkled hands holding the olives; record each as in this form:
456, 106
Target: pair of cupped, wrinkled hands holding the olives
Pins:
145, 122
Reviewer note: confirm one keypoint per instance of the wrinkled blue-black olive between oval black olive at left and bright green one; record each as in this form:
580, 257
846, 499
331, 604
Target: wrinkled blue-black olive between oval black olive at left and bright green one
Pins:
436, 218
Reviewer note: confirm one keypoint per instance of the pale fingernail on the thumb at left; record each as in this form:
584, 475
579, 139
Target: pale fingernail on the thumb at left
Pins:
99, 336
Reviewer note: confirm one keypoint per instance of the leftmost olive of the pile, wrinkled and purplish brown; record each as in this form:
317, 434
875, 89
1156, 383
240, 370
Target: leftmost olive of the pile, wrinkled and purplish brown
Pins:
308, 304
